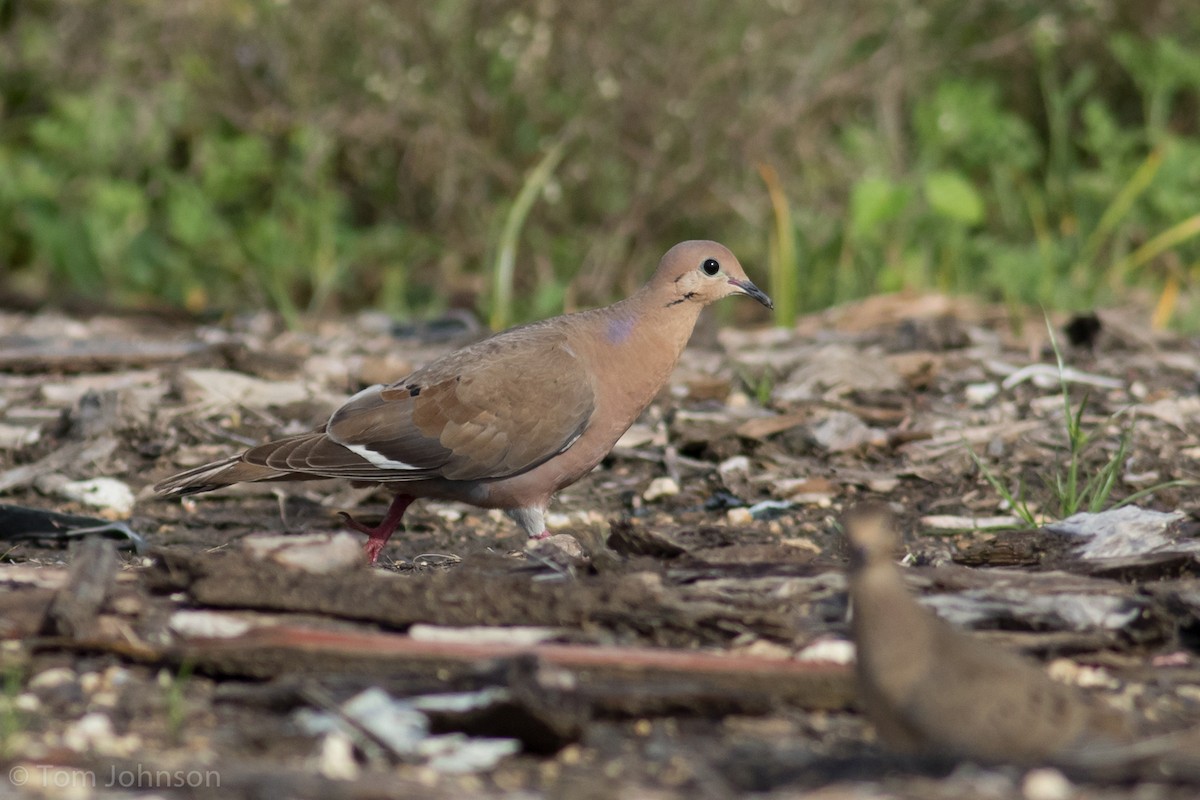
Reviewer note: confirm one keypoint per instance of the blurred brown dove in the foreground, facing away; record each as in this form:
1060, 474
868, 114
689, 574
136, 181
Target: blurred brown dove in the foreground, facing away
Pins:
931, 689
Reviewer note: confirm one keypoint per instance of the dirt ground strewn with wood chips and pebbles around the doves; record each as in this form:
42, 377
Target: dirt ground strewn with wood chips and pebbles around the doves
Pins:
685, 635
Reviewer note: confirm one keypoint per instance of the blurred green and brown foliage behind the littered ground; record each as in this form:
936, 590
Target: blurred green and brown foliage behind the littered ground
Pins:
319, 157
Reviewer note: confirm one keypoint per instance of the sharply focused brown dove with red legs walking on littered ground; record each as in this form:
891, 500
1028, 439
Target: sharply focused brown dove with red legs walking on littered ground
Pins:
511, 420
